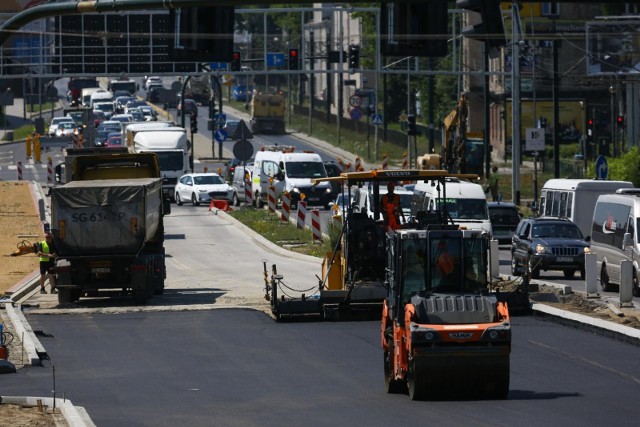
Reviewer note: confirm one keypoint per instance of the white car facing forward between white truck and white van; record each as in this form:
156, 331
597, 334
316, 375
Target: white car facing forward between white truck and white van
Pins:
202, 188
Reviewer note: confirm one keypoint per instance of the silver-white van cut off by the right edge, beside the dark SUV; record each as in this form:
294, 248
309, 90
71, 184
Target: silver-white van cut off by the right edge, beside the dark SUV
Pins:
614, 236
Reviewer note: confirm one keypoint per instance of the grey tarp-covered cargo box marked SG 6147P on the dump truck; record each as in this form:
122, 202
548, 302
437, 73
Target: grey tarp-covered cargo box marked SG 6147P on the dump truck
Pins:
105, 217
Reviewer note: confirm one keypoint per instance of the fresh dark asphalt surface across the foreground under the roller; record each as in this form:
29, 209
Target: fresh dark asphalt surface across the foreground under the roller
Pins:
240, 368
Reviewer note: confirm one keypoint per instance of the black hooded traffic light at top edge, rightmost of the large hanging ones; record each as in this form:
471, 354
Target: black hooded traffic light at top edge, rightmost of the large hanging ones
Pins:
490, 29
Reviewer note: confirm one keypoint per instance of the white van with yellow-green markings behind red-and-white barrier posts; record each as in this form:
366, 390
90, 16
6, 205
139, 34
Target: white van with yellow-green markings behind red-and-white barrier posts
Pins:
292, 172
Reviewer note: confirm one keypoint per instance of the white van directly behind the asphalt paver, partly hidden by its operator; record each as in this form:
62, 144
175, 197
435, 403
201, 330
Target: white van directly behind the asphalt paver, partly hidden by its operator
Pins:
465, 202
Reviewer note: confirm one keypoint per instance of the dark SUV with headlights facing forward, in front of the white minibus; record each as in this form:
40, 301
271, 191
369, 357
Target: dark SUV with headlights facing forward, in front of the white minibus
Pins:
548, 244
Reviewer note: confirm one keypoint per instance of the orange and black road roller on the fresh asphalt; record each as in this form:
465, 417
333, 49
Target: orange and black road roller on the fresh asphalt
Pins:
444, 334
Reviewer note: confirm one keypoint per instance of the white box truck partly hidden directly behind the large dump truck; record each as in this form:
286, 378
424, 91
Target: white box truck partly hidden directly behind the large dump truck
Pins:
170, 144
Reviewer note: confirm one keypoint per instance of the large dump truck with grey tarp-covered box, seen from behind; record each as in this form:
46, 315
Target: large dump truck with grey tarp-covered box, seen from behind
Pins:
108, 227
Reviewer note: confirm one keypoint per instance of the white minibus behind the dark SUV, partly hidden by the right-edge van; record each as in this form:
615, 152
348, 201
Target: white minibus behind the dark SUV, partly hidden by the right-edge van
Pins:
575, 199
